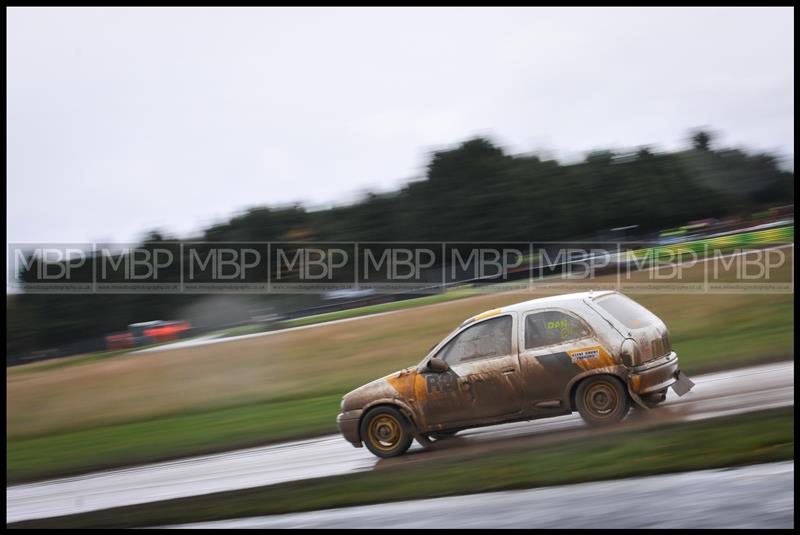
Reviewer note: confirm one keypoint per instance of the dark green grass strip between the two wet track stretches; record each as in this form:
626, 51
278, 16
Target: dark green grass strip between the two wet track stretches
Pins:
745, 439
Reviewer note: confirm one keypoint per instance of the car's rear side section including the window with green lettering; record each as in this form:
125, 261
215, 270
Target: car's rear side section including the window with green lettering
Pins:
555, 346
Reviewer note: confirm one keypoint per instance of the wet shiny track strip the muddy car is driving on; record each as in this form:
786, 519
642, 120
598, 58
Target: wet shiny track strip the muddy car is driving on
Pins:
717, 394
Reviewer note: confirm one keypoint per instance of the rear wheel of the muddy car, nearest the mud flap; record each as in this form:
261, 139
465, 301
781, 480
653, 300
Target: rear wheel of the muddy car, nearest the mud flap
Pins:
602, 400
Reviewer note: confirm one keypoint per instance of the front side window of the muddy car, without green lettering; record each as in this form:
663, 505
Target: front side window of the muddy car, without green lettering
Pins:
490, 338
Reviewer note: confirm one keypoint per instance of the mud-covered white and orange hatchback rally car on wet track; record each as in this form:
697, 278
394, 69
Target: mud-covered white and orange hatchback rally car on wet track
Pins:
596, 353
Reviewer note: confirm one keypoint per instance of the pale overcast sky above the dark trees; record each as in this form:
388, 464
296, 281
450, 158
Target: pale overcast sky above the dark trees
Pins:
124, 120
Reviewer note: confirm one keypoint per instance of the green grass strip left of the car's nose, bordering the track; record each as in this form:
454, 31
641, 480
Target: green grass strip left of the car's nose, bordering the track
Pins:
169, 437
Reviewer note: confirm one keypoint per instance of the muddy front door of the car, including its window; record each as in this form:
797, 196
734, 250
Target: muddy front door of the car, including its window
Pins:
483, 382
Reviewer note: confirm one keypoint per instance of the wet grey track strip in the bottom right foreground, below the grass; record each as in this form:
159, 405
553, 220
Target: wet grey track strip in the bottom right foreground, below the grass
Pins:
759, 496
